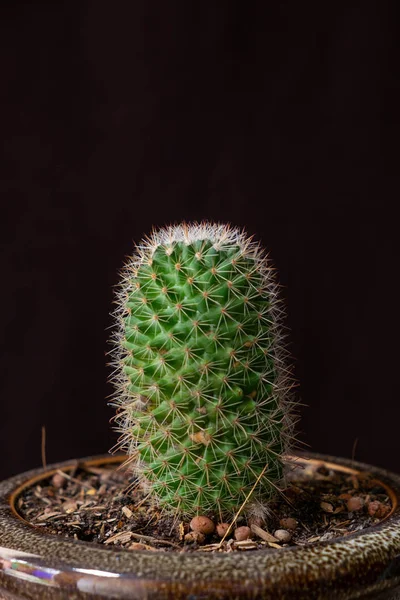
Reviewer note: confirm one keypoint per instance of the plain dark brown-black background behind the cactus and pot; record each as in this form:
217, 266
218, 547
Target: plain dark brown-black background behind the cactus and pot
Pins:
282, 117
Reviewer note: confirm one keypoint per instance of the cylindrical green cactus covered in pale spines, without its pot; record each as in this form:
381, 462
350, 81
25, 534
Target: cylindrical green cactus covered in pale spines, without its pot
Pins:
202, 385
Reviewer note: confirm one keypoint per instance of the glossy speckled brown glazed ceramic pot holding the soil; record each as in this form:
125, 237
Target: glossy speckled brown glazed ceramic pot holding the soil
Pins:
38, 565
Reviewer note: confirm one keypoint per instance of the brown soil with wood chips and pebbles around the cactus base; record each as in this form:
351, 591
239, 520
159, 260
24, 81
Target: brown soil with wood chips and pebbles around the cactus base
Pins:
102, 505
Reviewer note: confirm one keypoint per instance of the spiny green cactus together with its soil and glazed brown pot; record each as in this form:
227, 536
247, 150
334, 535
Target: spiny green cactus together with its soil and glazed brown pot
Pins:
206, 416
